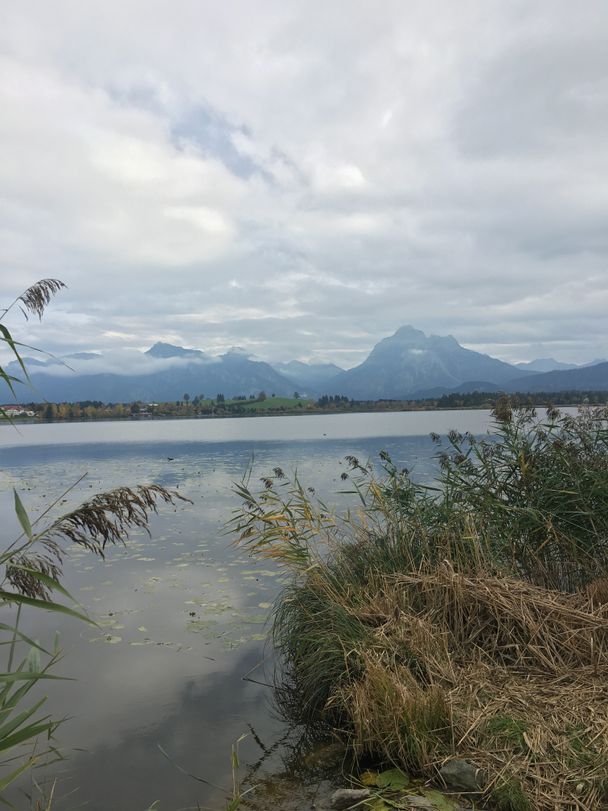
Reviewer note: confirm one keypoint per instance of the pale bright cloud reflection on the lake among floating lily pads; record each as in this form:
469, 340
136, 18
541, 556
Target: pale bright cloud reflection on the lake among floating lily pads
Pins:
124, 685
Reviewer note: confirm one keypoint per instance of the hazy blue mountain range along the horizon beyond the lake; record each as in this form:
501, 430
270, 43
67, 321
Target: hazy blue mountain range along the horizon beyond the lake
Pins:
406, 365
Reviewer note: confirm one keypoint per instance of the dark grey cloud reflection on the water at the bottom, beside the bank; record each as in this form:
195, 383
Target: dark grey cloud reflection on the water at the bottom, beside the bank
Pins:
208, 714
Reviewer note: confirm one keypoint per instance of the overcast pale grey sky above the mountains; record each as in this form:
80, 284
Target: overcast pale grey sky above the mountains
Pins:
301, 178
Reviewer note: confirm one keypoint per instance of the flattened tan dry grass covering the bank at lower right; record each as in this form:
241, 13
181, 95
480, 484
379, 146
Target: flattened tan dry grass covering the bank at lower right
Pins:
505, 674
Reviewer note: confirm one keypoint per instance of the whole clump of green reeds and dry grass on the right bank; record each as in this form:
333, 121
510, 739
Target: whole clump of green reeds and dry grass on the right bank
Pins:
465, 621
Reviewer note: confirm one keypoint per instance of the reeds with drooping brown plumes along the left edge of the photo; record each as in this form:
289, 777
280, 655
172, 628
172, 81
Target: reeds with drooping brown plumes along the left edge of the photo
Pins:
30, 576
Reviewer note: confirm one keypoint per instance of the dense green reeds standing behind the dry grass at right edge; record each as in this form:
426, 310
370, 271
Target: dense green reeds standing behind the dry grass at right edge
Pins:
537, 492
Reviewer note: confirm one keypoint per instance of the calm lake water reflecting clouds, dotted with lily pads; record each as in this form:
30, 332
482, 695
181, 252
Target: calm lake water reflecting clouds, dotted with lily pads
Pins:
172, 678
